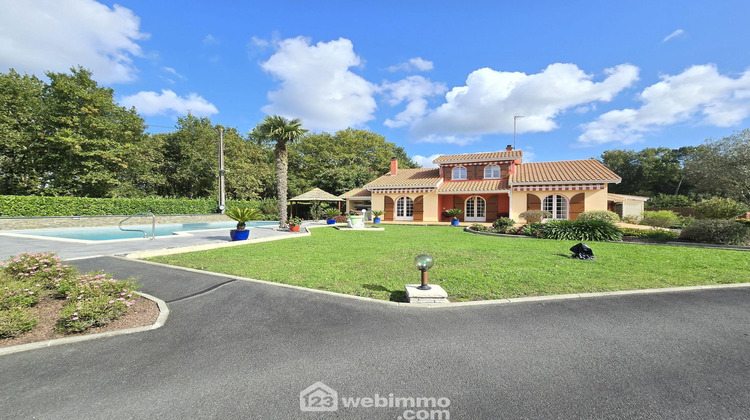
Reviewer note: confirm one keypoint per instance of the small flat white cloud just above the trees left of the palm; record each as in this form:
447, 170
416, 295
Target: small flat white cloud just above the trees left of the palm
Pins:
168, 102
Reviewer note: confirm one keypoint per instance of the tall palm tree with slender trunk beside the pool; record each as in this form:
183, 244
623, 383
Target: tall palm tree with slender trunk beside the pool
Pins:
281, 131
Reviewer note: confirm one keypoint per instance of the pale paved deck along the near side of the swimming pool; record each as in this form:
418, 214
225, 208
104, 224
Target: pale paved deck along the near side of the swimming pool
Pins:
10, 246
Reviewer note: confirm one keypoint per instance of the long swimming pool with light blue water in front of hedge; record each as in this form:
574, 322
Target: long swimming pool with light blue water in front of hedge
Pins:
109, 233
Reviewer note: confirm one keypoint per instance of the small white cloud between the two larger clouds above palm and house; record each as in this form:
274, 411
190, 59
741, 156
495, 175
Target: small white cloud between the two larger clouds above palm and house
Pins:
413, 90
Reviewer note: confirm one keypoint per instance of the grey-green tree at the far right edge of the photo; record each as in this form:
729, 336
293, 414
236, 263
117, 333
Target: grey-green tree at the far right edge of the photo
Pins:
722, 167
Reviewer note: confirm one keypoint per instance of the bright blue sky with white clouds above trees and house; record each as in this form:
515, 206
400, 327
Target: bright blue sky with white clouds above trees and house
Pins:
440, 77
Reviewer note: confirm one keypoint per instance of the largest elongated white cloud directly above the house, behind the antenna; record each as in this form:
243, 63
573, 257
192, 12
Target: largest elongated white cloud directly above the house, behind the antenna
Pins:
490, 98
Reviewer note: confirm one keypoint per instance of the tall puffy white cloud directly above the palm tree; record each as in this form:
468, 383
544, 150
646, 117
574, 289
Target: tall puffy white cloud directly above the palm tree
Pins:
317, 85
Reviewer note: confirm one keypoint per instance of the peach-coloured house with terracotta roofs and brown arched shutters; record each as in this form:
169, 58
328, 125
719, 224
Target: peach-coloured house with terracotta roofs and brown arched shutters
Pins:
486, 186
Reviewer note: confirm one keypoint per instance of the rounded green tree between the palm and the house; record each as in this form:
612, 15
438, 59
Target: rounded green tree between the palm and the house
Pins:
342, 161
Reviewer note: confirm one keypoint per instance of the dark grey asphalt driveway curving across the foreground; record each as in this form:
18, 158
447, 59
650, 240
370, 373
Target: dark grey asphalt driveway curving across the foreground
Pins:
246, 350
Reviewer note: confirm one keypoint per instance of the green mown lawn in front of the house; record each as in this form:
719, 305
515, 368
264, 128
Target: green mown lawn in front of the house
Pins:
468, 266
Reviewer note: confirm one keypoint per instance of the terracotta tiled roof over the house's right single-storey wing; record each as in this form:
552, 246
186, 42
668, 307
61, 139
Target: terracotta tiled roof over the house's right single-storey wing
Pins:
566, 171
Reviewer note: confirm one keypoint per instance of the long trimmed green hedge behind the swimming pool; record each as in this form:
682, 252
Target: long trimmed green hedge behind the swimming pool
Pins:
36, 206
